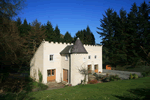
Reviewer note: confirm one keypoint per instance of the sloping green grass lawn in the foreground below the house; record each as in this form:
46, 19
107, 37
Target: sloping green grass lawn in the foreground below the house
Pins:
135, 89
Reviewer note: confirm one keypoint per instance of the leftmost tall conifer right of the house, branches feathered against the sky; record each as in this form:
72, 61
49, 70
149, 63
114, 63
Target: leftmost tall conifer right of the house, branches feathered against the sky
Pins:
107, 35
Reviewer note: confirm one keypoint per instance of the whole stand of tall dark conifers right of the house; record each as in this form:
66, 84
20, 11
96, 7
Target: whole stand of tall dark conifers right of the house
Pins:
125, 37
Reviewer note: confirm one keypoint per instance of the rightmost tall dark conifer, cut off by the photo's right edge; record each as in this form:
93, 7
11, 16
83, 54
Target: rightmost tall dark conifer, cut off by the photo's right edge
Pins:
143, 31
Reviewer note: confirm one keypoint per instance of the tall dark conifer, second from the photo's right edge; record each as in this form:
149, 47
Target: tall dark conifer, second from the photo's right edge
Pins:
133, 58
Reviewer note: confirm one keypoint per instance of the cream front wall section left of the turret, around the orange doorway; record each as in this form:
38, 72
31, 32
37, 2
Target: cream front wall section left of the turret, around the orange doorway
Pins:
55, 49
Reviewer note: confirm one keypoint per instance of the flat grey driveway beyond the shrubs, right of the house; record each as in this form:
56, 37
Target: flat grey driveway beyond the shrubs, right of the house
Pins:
122, 74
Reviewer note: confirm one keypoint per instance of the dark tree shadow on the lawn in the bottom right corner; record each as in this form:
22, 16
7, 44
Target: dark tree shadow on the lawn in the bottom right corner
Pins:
140, 94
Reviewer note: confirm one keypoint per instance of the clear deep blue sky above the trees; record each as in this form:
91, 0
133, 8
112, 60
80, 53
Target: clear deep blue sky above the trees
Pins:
73, 15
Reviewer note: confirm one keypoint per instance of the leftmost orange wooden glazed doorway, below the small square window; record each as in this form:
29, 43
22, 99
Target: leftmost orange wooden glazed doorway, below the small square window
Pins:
51, 75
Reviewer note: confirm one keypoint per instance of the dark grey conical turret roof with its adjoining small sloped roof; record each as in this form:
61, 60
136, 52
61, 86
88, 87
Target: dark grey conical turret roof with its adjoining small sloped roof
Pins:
76, 48
